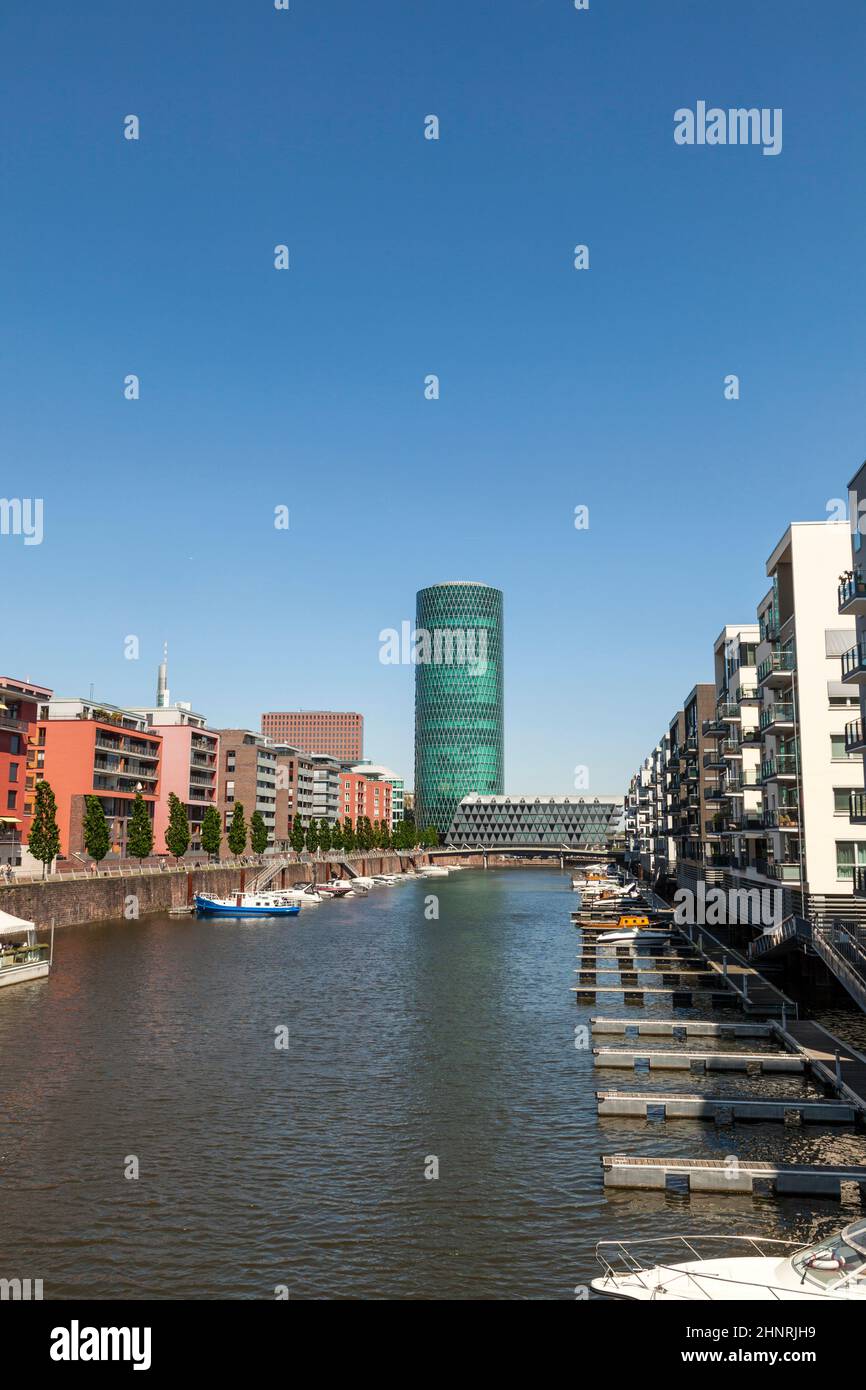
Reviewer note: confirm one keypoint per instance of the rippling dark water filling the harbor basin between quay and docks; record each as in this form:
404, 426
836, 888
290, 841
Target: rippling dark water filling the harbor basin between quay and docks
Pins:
414, 1045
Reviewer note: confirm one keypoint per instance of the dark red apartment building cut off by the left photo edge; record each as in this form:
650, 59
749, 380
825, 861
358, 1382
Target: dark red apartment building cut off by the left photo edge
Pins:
20, 704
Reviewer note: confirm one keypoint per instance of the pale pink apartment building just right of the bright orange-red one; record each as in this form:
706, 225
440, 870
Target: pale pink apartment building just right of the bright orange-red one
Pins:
191, 758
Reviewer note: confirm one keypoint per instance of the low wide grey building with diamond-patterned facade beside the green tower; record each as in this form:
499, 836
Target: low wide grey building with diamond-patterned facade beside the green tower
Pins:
536, 822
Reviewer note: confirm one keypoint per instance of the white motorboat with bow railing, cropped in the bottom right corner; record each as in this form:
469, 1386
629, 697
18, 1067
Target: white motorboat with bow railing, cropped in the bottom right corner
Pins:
755, 1270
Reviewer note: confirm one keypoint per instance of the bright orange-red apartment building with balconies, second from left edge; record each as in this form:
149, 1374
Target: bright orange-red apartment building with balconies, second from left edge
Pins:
85, 749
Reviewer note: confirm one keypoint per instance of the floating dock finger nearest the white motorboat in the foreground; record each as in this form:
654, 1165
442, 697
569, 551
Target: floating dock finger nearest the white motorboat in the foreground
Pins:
732, 1177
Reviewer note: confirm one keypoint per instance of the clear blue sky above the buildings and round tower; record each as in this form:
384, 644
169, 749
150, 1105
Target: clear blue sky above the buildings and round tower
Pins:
305, 389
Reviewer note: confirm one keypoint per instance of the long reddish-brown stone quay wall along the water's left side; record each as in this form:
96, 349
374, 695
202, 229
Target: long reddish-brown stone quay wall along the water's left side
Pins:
101, 899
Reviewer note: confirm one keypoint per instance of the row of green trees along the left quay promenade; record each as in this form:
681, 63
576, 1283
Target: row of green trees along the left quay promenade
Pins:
44, 840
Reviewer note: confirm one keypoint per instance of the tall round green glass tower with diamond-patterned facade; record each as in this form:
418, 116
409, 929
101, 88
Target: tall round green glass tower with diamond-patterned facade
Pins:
459, 725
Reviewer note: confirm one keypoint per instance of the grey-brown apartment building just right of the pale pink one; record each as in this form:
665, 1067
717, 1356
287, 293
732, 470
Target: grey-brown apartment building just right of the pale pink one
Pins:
250, 775
